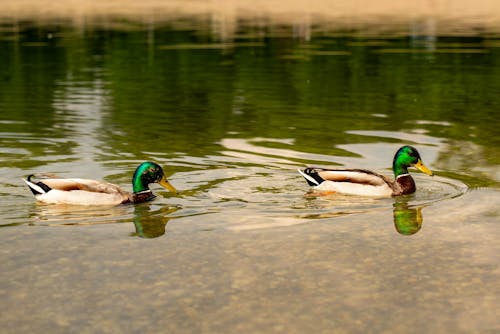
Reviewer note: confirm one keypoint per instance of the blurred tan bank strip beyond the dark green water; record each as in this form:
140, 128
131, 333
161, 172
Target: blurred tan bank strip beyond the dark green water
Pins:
439, 17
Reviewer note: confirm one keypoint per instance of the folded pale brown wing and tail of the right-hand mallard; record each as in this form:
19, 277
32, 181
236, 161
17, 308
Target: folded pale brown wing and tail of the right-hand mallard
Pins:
315, 176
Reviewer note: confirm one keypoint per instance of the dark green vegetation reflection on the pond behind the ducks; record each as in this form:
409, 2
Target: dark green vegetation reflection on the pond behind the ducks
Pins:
189, 99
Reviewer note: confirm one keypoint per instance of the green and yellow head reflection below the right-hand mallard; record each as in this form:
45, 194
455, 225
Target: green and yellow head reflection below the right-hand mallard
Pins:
407, 219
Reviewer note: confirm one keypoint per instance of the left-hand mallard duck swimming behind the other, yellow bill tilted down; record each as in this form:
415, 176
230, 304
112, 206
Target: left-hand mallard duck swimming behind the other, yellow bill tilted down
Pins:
93, 192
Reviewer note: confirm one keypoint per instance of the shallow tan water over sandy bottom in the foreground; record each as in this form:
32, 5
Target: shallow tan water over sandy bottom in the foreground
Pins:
354, 274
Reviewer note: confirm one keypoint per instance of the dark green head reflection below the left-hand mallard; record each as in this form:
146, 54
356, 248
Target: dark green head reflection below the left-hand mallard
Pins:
151, 223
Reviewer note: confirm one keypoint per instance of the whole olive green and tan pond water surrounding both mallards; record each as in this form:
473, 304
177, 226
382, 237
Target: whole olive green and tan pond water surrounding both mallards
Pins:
244, 247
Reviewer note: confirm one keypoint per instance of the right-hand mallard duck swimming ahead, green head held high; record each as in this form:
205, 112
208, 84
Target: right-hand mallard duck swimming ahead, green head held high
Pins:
367, 183
